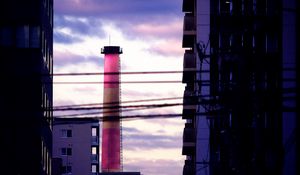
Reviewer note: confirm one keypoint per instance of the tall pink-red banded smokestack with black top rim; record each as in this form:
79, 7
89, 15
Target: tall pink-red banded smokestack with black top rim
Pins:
111, 132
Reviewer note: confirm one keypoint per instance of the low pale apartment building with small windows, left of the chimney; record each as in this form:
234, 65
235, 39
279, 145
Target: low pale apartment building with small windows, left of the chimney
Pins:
76, 143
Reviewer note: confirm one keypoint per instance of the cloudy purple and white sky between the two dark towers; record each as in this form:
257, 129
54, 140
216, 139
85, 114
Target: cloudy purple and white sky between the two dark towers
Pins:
150, 34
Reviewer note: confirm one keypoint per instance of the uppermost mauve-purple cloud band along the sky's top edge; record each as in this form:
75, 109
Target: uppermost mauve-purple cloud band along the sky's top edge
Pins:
116, 9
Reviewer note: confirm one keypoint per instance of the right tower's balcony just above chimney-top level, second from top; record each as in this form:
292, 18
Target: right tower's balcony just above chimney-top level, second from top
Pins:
189, 31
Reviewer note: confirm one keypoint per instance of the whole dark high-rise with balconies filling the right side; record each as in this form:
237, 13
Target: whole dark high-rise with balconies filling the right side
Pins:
245, 86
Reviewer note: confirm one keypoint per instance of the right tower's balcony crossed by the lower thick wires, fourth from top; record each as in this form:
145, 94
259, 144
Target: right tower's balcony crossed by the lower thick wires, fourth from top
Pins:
189, 104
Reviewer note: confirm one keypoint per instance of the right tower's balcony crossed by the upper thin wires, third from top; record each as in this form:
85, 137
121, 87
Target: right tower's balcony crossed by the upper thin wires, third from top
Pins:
189, 67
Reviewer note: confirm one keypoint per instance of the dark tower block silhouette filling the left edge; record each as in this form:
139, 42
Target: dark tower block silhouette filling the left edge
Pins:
26, 32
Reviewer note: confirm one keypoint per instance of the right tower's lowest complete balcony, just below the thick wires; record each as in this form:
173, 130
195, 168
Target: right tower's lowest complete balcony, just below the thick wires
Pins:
189, 145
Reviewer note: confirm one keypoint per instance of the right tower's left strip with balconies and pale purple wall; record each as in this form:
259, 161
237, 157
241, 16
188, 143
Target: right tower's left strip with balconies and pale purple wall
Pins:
196, 76
